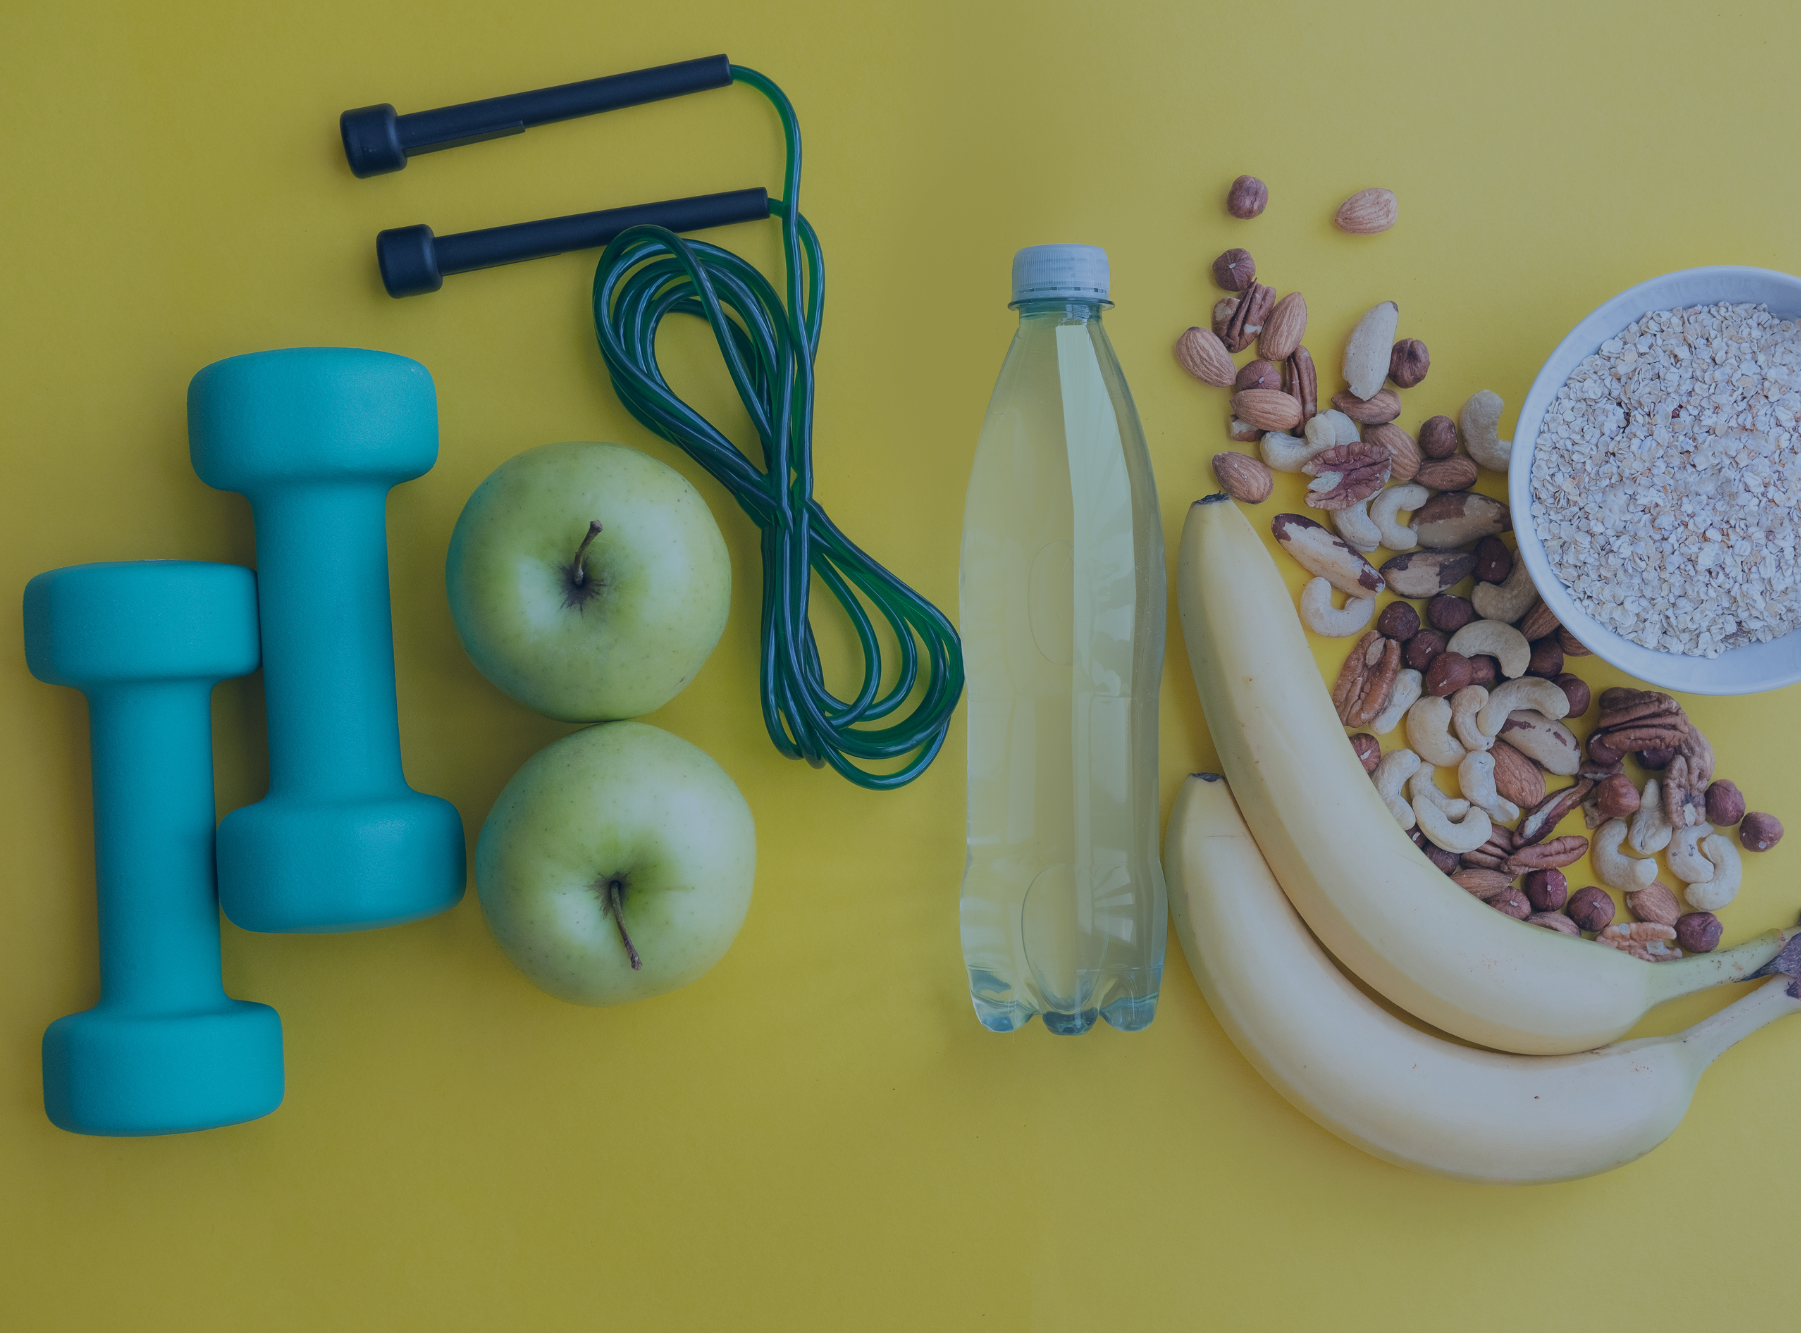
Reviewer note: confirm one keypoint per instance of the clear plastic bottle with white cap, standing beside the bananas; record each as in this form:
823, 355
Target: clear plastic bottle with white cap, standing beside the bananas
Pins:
1063, 606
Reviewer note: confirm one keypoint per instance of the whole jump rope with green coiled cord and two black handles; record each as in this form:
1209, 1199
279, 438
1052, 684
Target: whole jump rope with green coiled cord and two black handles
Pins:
649, 273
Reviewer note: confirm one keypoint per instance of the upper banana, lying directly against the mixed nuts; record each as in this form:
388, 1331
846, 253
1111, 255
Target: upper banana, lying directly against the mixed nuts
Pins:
1359, 882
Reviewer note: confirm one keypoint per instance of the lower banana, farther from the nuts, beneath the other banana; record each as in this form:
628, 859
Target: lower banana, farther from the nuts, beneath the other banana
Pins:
1409, 1098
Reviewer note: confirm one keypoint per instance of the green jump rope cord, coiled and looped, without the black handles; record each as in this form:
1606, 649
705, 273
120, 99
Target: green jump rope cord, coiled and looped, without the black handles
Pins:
649, 273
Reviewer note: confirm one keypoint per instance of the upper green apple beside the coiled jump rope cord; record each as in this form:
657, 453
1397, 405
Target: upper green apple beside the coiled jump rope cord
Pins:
588, 581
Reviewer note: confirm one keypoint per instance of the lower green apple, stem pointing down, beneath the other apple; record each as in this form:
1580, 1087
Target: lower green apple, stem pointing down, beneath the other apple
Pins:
617, 866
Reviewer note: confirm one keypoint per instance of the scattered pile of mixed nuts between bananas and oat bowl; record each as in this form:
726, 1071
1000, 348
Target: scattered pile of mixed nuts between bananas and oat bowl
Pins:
1478, 682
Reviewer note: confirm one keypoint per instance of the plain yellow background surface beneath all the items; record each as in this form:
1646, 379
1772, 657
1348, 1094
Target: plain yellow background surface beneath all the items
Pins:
817, 1136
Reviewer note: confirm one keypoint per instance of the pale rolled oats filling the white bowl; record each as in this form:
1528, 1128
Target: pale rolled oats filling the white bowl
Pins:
1667, 480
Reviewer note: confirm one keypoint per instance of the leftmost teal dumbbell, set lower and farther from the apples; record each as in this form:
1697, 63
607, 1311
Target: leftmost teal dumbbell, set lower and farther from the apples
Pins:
167, 1049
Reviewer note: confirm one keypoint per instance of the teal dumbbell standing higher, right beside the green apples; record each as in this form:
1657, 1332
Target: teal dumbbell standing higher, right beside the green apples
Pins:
316, 439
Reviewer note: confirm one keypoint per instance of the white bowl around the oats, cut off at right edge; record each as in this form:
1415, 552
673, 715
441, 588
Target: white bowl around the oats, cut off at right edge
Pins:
1737, 671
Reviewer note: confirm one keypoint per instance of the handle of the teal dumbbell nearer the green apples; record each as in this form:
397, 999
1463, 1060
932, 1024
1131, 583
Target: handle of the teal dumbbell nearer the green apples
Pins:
329, 646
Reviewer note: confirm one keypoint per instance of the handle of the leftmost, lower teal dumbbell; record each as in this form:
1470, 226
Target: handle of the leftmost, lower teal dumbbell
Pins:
154, 860
